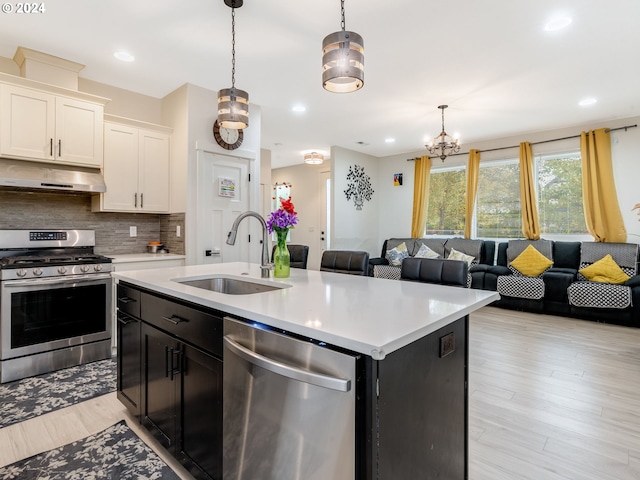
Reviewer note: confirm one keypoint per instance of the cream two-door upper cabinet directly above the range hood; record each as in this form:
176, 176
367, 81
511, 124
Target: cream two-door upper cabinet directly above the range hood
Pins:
42, 126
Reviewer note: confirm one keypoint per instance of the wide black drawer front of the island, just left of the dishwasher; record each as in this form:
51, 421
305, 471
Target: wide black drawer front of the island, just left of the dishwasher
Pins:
200, 329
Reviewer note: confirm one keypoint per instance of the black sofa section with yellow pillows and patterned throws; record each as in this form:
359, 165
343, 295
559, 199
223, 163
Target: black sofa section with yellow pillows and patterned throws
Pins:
562, 289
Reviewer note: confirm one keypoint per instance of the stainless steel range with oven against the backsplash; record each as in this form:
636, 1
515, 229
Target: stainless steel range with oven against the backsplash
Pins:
55, 301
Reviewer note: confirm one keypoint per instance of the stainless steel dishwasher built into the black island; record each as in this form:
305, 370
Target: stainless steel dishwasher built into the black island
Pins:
289, 407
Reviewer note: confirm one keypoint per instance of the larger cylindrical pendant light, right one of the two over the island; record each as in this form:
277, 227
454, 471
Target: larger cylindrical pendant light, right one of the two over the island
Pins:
343, 60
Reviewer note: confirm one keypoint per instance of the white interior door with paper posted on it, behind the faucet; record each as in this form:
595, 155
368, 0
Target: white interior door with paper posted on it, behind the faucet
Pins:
223, 194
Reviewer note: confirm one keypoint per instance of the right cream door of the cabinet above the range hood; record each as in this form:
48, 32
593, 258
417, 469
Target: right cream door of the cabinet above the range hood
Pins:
79, 136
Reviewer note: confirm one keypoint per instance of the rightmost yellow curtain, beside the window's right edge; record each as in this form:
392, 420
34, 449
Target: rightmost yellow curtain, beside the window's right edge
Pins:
601, 208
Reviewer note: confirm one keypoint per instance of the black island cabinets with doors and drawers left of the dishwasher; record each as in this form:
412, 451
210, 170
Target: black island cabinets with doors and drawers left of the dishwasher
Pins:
179, 353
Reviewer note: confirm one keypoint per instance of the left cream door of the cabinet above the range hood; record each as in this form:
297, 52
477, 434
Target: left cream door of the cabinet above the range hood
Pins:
27, 123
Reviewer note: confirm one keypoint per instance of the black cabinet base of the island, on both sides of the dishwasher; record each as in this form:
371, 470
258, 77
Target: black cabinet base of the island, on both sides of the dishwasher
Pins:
411, 407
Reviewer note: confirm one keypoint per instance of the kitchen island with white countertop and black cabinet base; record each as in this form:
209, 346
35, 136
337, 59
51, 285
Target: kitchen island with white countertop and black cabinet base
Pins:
408, 341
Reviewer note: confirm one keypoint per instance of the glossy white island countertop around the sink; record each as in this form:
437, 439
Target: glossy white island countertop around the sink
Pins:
373, 316
